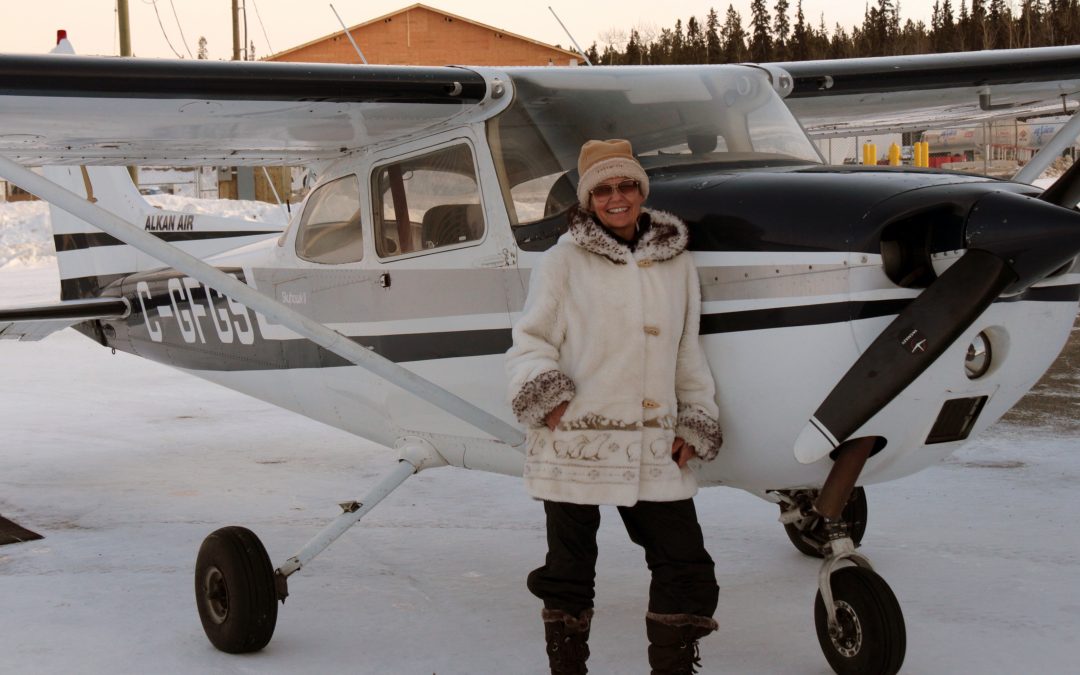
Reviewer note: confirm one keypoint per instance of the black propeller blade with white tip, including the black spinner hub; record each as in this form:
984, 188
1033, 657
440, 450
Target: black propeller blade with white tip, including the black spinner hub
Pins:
1012, 242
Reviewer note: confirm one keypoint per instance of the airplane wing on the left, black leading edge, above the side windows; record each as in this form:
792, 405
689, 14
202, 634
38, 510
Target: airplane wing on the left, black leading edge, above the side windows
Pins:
65, 110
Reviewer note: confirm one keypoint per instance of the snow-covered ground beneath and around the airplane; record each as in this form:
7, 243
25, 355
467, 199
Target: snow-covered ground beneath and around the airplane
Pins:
125, 466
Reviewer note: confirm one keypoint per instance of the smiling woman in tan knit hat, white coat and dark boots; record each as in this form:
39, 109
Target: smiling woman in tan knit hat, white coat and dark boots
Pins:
609, 374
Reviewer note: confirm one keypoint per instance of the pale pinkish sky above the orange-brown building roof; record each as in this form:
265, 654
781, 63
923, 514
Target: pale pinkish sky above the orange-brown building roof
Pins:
278, 25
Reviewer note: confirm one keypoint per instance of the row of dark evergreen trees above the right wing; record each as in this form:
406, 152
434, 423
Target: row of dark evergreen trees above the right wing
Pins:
780, 34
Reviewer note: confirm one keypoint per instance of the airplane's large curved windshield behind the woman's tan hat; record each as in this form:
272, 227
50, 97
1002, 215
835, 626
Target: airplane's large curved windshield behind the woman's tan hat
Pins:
671, 115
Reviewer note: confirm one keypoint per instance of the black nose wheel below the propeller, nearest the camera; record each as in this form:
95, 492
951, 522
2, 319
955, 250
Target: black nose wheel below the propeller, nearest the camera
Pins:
872, 639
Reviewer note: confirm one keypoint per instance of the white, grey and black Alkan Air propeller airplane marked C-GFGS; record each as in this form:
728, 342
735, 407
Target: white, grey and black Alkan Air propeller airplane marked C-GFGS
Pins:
862, 323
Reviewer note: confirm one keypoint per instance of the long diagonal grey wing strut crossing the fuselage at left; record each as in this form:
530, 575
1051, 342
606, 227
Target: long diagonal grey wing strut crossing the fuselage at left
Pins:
332, 341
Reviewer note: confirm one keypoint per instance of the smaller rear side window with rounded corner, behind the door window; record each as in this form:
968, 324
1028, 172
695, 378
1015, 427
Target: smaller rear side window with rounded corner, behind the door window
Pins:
330, 229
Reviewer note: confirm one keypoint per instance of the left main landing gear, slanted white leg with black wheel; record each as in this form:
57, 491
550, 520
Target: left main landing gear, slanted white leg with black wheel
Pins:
237, 589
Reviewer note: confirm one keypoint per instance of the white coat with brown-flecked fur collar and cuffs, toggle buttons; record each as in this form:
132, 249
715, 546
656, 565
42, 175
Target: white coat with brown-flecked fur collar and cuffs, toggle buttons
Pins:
615, 333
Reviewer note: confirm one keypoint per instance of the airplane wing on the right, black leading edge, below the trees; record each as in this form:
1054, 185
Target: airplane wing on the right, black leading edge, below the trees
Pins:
846, 98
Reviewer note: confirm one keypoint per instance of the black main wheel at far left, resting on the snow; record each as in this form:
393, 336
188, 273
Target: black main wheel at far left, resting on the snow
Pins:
235, 591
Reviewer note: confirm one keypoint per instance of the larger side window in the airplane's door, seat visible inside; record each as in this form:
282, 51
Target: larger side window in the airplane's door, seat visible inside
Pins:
427, 202
